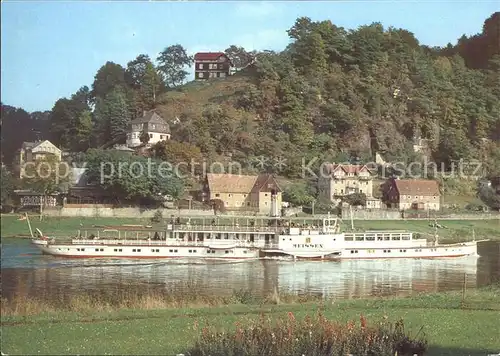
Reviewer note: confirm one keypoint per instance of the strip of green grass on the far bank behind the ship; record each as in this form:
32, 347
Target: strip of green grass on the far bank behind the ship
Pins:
453, 231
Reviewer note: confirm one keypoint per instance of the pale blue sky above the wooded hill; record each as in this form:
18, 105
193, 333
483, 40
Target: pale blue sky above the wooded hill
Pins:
49, 49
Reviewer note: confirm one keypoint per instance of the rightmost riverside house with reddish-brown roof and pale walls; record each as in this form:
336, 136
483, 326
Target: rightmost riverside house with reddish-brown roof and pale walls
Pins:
419, 194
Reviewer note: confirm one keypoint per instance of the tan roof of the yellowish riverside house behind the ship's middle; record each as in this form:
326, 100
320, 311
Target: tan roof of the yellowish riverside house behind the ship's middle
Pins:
232, 183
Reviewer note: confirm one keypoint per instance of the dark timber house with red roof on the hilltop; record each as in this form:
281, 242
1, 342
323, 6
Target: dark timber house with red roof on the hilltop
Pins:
211, 65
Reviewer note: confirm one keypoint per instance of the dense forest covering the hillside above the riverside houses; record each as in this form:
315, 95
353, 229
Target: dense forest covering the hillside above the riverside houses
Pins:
332, 94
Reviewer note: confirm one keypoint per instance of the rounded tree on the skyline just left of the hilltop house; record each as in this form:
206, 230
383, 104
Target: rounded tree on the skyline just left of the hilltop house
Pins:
172, 61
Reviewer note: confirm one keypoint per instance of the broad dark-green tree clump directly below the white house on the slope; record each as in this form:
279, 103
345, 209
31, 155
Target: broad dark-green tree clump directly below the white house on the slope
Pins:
132, 178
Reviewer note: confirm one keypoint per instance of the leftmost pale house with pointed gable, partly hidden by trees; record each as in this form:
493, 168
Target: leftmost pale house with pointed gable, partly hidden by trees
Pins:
32, 151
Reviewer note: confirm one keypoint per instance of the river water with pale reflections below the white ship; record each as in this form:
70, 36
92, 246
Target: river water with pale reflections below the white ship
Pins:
26, 272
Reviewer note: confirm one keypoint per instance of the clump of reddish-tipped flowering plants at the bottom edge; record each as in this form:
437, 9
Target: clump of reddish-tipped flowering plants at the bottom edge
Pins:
312, 336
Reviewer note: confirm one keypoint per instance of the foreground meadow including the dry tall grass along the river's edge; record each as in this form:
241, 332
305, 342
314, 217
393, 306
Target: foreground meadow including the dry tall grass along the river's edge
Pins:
450, 323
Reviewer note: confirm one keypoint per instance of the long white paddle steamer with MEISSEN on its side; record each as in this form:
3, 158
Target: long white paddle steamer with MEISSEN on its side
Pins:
249, 242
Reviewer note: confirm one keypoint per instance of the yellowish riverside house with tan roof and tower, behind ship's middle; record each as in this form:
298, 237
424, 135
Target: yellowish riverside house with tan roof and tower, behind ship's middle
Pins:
243, 192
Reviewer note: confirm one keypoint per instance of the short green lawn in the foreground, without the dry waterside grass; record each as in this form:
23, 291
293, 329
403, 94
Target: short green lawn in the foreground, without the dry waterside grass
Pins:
452, 325
